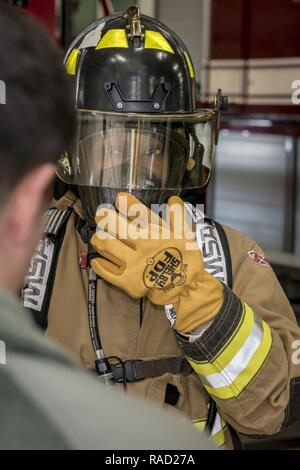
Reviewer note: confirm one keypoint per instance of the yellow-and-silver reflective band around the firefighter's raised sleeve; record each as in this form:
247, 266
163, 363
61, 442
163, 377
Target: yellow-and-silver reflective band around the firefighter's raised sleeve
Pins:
229, 380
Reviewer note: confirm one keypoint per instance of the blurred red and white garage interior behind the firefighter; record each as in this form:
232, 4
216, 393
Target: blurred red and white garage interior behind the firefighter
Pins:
250, 49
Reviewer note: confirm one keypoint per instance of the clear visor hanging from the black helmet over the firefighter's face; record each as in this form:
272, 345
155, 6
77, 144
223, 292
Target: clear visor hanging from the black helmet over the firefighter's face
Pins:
141, 152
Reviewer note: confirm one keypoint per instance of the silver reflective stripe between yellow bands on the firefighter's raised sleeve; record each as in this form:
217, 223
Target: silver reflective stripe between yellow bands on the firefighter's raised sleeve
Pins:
239, 362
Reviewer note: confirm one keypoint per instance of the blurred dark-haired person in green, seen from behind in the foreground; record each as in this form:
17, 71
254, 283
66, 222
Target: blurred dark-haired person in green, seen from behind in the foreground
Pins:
46, 402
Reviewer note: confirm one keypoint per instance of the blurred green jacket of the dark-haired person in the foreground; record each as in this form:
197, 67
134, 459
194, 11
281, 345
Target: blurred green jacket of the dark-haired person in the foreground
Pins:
47, 402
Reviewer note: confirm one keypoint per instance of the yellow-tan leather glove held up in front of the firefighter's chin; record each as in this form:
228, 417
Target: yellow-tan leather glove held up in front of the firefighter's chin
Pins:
160, 259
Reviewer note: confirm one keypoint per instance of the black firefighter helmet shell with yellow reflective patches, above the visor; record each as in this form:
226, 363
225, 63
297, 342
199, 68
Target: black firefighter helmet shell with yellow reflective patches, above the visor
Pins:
116, 73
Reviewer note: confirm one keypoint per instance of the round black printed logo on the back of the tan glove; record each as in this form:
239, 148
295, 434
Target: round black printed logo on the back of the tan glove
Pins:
165, 270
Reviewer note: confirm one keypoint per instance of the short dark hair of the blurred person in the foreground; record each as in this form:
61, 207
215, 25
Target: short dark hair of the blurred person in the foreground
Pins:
37, 122
